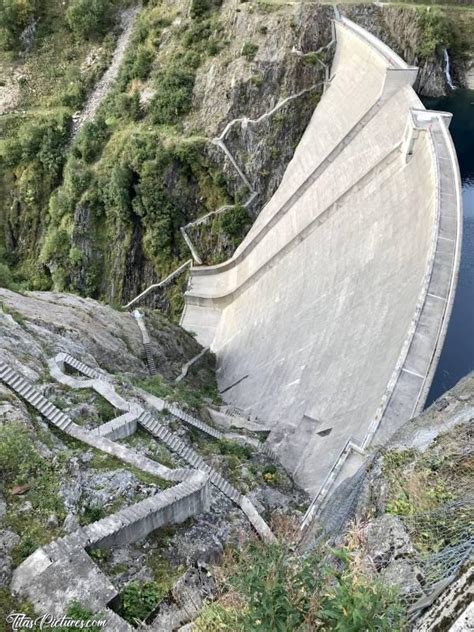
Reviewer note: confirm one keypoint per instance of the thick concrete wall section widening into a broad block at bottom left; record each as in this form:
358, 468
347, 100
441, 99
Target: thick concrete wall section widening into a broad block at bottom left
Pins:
62, 570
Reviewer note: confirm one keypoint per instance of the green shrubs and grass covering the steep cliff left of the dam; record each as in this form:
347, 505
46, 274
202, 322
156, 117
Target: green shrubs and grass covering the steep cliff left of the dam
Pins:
102, 216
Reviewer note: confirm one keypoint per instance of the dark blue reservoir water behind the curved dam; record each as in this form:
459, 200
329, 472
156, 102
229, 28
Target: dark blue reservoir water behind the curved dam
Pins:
457, 357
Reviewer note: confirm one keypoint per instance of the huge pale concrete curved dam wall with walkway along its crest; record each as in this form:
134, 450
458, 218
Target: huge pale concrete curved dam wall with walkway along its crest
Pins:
328, 320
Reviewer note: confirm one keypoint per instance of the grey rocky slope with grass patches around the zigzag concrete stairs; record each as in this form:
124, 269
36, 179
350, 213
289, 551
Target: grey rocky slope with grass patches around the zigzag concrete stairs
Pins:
52, 484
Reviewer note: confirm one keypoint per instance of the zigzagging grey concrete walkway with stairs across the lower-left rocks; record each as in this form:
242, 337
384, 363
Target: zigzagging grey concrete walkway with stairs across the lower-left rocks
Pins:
45, 577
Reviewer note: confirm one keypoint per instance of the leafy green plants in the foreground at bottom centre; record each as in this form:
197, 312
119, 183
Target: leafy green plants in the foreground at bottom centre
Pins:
267, 588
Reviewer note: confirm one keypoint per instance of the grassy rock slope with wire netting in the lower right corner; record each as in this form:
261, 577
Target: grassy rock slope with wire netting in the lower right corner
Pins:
397, 548
